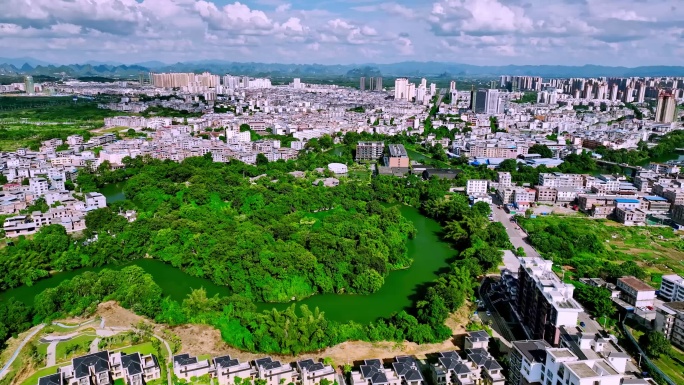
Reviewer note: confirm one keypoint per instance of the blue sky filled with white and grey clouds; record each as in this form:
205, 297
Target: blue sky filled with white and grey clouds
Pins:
485, 32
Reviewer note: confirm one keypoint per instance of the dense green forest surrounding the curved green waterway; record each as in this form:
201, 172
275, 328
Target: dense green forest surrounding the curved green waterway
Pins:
266, 239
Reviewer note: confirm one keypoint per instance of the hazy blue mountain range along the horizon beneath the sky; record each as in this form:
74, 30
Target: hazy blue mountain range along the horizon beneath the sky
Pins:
31, 66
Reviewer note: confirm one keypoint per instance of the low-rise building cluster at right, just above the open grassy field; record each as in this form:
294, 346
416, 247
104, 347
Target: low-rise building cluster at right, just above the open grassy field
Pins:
656, 192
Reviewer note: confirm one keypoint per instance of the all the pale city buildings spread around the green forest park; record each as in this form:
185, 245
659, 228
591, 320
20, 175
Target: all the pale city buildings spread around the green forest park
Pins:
237, 118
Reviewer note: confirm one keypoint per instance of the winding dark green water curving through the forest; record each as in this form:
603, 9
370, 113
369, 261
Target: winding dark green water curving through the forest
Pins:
429, 255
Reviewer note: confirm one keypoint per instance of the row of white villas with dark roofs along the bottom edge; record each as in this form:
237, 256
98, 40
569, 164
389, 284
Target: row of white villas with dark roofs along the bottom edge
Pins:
471, 365
